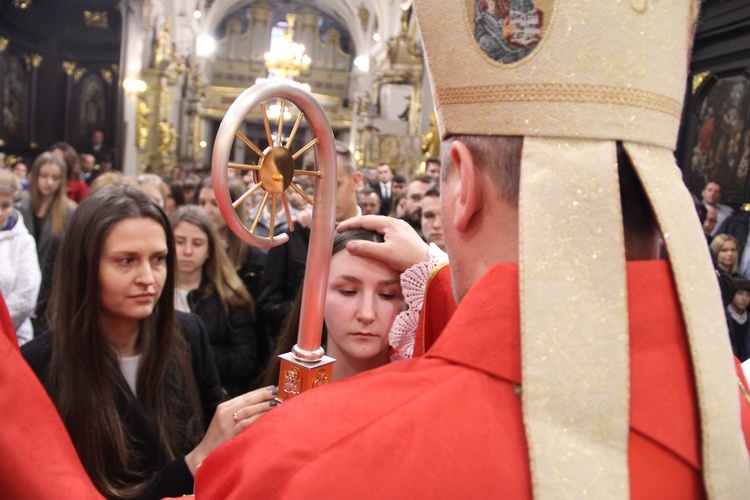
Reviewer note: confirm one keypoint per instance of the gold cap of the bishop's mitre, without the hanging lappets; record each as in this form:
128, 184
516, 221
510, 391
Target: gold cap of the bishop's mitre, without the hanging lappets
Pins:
595, 70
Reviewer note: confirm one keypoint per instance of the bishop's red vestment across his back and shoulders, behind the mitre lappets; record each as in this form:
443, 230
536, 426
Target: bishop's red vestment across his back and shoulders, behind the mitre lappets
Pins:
449, 424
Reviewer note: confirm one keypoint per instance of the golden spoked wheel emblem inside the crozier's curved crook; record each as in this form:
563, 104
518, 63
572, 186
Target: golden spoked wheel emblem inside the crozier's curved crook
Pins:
275, 169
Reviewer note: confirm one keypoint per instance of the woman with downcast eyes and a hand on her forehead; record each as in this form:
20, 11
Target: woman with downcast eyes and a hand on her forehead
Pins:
363, 298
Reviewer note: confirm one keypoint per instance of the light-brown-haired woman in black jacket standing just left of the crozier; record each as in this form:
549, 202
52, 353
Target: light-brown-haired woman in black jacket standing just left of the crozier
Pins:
208, 286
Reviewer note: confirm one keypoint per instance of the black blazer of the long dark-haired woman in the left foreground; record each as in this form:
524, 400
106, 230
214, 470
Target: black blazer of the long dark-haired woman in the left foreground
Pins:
174, 478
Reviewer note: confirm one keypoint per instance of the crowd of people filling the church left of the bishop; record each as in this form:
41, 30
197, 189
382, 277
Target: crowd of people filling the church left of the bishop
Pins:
131, 299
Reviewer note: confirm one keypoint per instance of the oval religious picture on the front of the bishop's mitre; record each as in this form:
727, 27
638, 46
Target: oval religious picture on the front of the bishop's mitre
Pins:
509, 30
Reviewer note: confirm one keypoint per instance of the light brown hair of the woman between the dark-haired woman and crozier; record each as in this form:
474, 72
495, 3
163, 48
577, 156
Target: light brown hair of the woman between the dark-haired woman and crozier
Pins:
218, 269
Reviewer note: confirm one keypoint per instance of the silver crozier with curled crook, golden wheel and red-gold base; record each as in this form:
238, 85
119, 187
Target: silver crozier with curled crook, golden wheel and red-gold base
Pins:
306, 366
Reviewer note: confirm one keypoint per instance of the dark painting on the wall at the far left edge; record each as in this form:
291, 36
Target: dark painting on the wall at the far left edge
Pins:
14, 99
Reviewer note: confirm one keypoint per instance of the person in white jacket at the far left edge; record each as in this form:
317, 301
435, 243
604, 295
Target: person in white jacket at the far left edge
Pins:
19, 268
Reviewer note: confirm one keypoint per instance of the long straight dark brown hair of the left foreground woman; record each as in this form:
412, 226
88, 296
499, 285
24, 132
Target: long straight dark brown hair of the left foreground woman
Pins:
84, 378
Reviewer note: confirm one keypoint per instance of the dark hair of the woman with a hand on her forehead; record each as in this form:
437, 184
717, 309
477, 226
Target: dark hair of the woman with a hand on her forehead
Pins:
288, 336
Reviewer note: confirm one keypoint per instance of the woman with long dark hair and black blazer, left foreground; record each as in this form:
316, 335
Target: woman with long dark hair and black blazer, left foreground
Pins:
133, 379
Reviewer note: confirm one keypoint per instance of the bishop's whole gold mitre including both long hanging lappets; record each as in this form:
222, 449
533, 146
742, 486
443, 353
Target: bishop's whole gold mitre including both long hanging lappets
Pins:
574, 77
